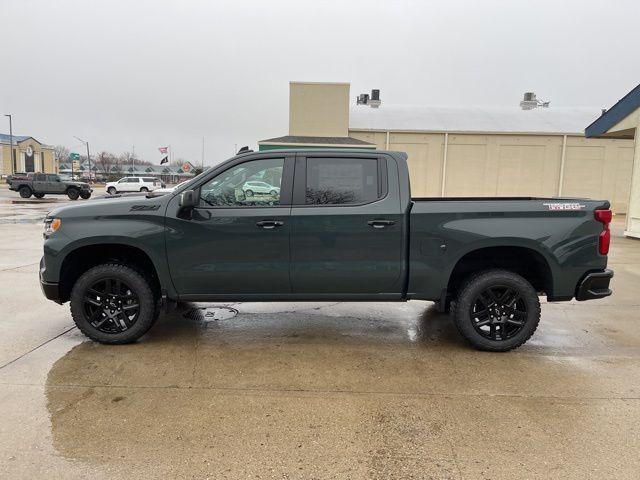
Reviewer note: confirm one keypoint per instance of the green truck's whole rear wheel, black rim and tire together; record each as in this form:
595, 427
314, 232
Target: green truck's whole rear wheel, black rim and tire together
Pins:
497, 310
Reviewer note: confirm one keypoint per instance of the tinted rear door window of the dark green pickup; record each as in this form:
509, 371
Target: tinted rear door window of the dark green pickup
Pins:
341, 181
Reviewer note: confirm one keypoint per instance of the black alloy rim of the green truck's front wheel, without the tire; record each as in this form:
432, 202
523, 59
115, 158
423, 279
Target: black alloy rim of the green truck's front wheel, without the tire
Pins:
111, 306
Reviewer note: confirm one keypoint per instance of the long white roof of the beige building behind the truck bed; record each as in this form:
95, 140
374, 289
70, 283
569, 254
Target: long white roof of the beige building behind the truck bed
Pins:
569, 120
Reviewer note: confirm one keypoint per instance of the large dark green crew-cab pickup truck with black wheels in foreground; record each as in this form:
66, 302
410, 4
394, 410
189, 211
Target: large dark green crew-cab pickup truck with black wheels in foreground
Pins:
323, 225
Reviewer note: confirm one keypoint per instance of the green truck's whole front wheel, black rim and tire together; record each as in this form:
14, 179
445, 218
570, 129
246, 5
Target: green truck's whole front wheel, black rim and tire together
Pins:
113, 304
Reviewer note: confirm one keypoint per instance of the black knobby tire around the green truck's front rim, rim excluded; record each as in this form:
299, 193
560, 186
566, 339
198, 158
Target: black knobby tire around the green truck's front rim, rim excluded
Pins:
149, 304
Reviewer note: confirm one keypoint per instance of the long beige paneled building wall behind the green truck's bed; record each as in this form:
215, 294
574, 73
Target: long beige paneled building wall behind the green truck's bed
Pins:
513, 165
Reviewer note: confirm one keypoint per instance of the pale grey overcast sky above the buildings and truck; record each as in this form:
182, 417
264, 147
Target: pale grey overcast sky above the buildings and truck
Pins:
154, 73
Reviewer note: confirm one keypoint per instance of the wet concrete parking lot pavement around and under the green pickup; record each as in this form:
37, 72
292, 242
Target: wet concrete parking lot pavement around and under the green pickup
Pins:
313, 390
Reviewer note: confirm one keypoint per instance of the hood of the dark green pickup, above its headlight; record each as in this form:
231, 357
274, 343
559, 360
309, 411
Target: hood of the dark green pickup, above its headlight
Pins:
125, 205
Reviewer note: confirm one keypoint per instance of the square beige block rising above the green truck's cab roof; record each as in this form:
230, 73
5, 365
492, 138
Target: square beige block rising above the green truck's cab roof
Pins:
319, 109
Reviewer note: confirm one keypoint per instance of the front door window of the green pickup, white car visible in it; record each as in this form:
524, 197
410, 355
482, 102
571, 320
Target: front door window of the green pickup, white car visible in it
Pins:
253, 183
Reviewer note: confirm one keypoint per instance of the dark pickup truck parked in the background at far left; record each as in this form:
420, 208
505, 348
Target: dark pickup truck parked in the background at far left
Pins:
41, 184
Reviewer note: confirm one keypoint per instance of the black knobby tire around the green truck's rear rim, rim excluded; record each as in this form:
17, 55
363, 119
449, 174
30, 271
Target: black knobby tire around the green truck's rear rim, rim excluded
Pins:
468, 293
